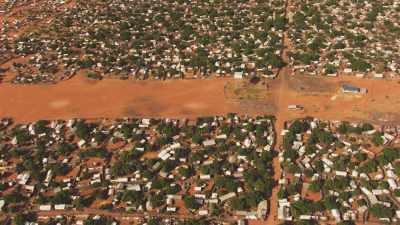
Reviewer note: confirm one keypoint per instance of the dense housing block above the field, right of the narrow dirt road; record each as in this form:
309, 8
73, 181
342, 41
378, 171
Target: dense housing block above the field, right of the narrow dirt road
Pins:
358, 38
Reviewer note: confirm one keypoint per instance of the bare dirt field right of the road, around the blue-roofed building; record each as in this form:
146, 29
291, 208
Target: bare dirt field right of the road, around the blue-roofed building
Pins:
327, 101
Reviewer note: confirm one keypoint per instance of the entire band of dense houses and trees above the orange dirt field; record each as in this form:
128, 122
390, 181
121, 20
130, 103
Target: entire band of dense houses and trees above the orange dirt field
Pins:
177, 39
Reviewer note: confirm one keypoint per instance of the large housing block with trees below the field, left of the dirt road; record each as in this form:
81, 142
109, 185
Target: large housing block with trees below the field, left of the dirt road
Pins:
209, 167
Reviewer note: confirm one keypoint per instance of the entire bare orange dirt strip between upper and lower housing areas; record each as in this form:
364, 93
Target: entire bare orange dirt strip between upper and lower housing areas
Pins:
82, 98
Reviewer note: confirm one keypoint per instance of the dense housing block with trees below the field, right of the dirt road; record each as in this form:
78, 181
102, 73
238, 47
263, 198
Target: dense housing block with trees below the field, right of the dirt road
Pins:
339, 172
